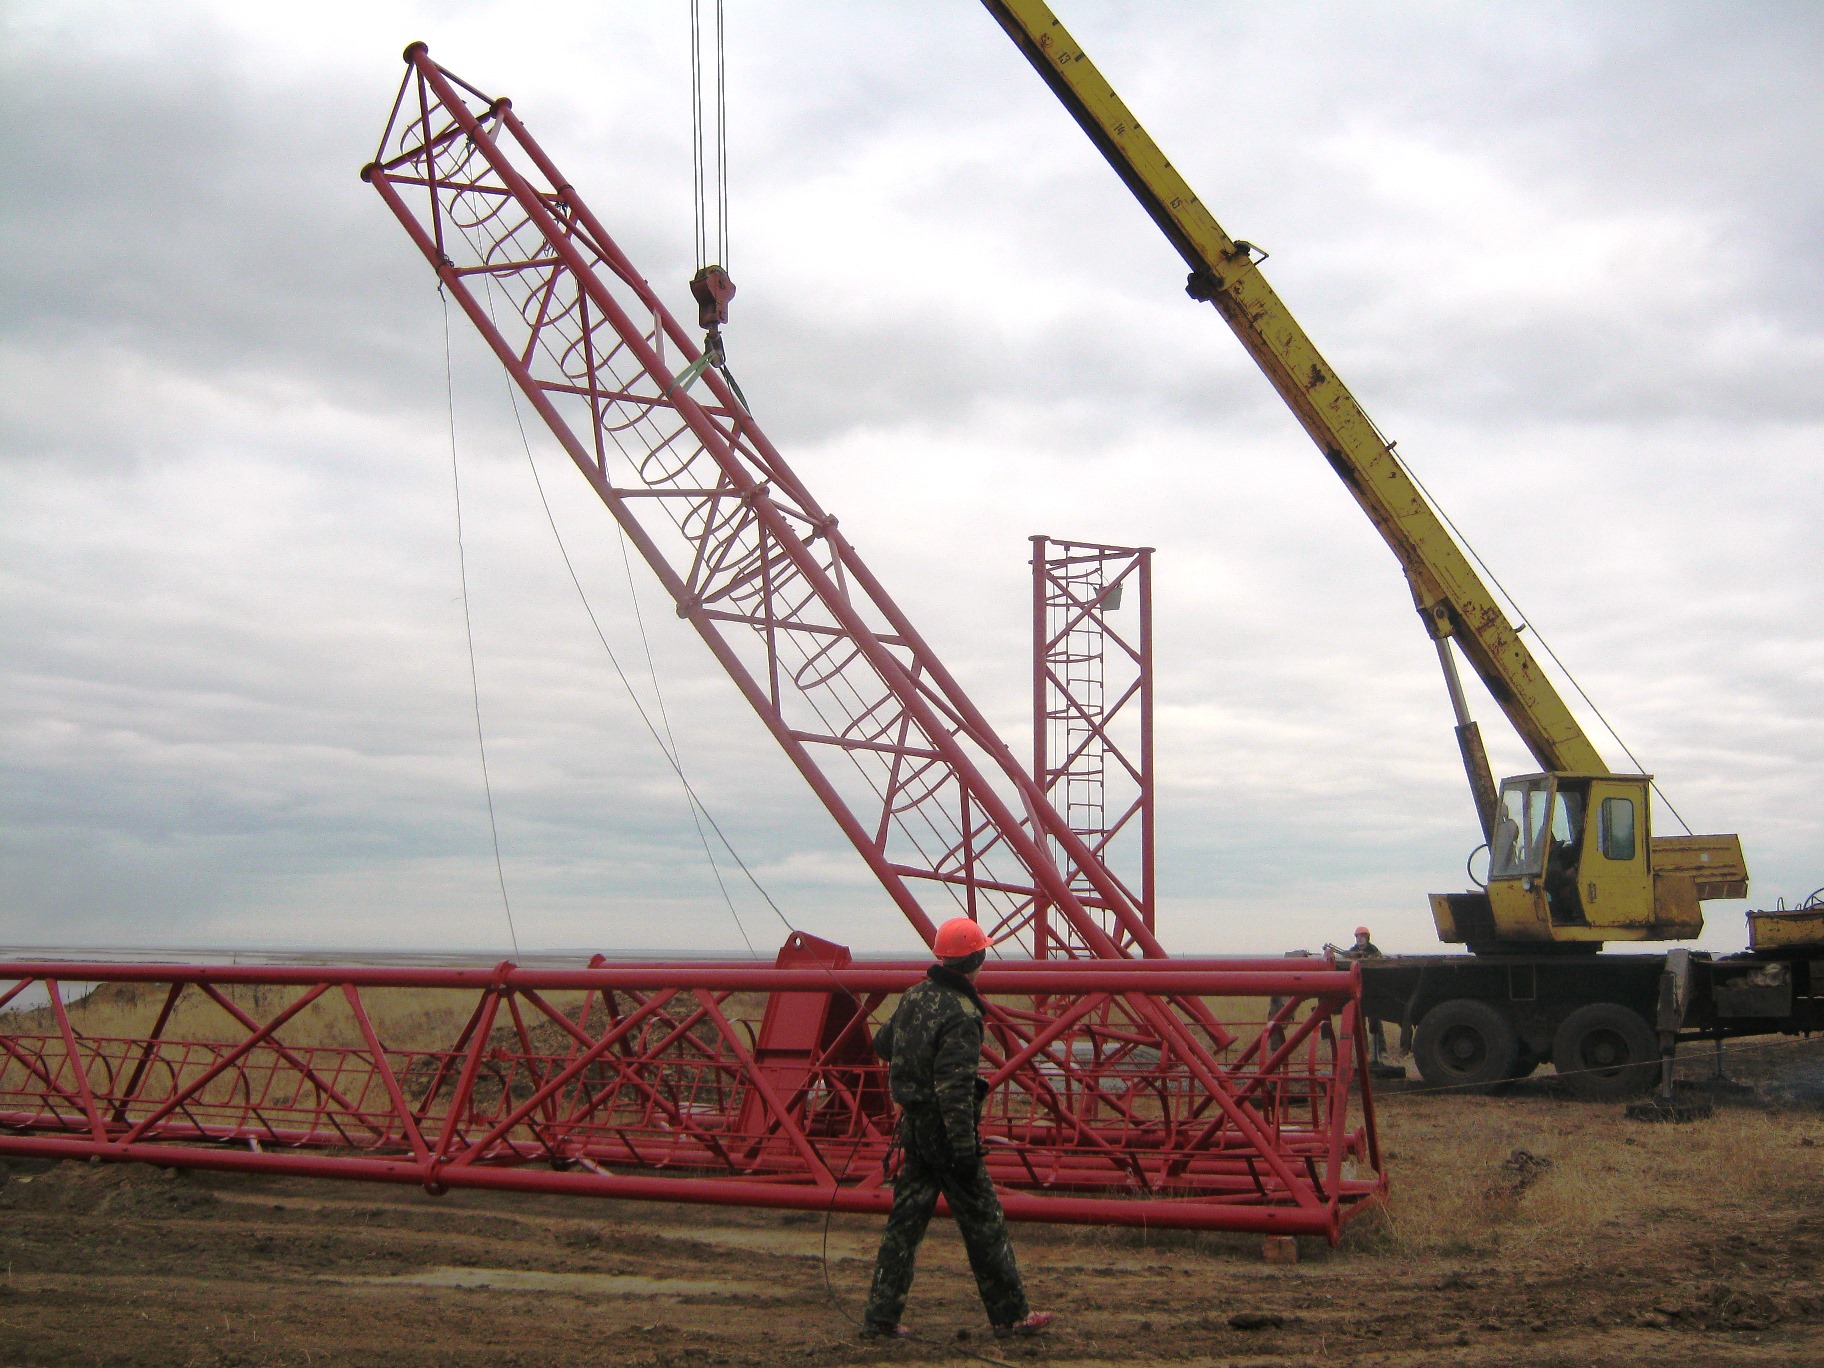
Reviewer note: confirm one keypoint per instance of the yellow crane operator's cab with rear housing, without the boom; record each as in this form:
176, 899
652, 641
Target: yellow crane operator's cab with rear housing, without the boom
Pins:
1573, 862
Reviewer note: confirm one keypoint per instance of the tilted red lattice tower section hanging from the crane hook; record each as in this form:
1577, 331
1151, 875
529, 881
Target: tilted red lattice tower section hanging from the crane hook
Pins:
937, 803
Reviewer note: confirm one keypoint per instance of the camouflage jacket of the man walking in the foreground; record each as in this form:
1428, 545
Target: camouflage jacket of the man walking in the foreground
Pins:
935, 1044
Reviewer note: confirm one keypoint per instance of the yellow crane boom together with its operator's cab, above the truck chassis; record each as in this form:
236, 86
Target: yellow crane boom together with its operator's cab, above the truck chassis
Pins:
1573, 858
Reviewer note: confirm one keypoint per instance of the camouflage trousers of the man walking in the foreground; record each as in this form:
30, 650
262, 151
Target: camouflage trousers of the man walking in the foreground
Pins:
926, 1176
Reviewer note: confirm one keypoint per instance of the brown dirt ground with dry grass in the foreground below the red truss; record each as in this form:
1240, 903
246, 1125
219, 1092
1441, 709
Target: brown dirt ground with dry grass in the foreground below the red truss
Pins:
1524, 1230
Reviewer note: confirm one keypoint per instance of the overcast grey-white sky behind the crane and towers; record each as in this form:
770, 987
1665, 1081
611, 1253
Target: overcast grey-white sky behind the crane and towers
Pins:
1571, 256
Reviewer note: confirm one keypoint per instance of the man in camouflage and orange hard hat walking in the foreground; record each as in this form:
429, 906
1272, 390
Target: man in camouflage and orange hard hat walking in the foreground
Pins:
933, 1046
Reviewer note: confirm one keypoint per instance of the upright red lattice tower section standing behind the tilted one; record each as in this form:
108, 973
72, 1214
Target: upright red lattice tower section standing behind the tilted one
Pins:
1093, 701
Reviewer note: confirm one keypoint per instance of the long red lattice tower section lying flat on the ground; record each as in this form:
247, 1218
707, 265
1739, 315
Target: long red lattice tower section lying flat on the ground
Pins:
707, 1083
